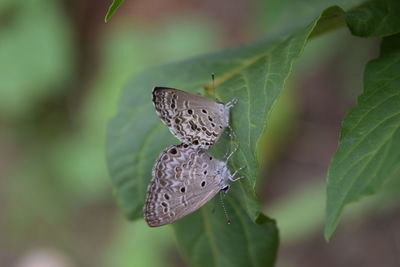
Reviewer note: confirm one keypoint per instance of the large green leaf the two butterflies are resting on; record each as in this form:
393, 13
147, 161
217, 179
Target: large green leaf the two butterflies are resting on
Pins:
254, 74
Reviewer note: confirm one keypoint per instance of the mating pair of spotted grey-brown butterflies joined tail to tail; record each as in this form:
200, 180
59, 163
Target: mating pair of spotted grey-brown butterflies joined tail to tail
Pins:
185, 177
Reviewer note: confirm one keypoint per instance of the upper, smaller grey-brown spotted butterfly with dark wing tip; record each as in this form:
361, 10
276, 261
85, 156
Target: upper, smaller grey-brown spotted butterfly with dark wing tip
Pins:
193, 119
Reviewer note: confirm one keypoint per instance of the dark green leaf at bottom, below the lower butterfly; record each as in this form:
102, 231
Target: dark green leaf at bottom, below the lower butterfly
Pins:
215, 243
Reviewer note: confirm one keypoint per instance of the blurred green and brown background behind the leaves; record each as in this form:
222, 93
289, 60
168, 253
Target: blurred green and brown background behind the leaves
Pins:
61, 72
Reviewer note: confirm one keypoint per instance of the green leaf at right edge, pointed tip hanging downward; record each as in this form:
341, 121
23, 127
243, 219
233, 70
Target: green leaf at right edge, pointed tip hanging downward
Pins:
369, 149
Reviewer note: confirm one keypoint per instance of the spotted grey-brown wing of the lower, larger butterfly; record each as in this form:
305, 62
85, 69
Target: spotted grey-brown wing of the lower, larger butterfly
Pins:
184, 179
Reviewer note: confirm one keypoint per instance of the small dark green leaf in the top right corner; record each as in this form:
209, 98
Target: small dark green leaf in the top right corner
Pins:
375, 18
